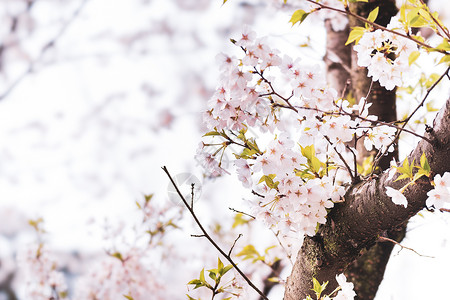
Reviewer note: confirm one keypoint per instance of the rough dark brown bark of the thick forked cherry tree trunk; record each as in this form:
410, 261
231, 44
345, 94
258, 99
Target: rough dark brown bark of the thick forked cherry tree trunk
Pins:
351, 243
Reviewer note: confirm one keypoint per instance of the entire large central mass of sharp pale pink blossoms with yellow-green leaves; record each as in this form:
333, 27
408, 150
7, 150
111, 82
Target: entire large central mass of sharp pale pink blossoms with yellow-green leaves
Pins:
296, 183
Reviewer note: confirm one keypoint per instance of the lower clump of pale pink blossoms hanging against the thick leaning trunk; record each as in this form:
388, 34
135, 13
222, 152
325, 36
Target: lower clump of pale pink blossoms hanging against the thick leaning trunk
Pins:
295, 204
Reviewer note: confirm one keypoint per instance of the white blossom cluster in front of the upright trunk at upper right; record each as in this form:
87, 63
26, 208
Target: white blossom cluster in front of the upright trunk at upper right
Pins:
385, 55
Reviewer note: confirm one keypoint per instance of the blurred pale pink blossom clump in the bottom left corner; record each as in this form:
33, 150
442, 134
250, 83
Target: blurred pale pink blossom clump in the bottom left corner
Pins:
41, 278
